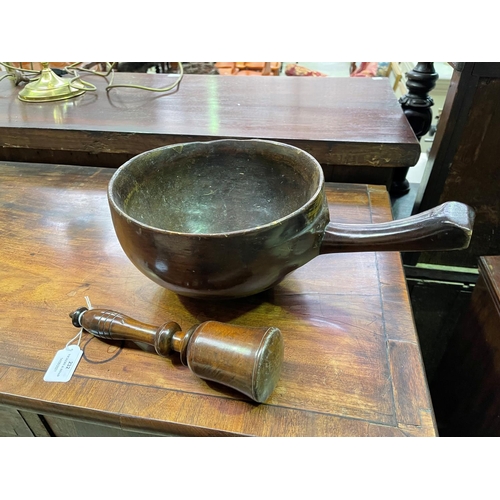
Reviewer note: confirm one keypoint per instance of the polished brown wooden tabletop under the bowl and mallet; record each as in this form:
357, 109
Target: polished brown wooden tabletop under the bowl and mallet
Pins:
352, 363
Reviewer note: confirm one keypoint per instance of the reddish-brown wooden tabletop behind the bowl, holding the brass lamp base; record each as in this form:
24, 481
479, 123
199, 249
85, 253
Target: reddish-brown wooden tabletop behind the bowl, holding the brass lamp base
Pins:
340, 121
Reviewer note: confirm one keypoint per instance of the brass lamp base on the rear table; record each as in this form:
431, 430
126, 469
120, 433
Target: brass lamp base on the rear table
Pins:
49, 87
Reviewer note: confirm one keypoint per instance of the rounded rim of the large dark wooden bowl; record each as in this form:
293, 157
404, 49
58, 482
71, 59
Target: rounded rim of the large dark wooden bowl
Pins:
272, 224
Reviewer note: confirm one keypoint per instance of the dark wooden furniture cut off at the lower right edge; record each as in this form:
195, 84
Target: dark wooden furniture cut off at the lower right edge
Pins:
466, 389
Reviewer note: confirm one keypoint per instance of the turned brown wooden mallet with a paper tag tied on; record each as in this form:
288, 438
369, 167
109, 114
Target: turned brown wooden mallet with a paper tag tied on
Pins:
244, 358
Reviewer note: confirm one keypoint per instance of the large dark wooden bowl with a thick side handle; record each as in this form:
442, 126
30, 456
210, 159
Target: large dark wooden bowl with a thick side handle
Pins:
231, 218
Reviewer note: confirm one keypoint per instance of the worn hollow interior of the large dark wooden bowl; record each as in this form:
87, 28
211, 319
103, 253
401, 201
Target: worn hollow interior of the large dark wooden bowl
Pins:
215, 187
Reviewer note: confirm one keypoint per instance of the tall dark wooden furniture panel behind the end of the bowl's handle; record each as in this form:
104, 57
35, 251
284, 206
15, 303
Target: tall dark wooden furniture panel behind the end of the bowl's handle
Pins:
463, 161
